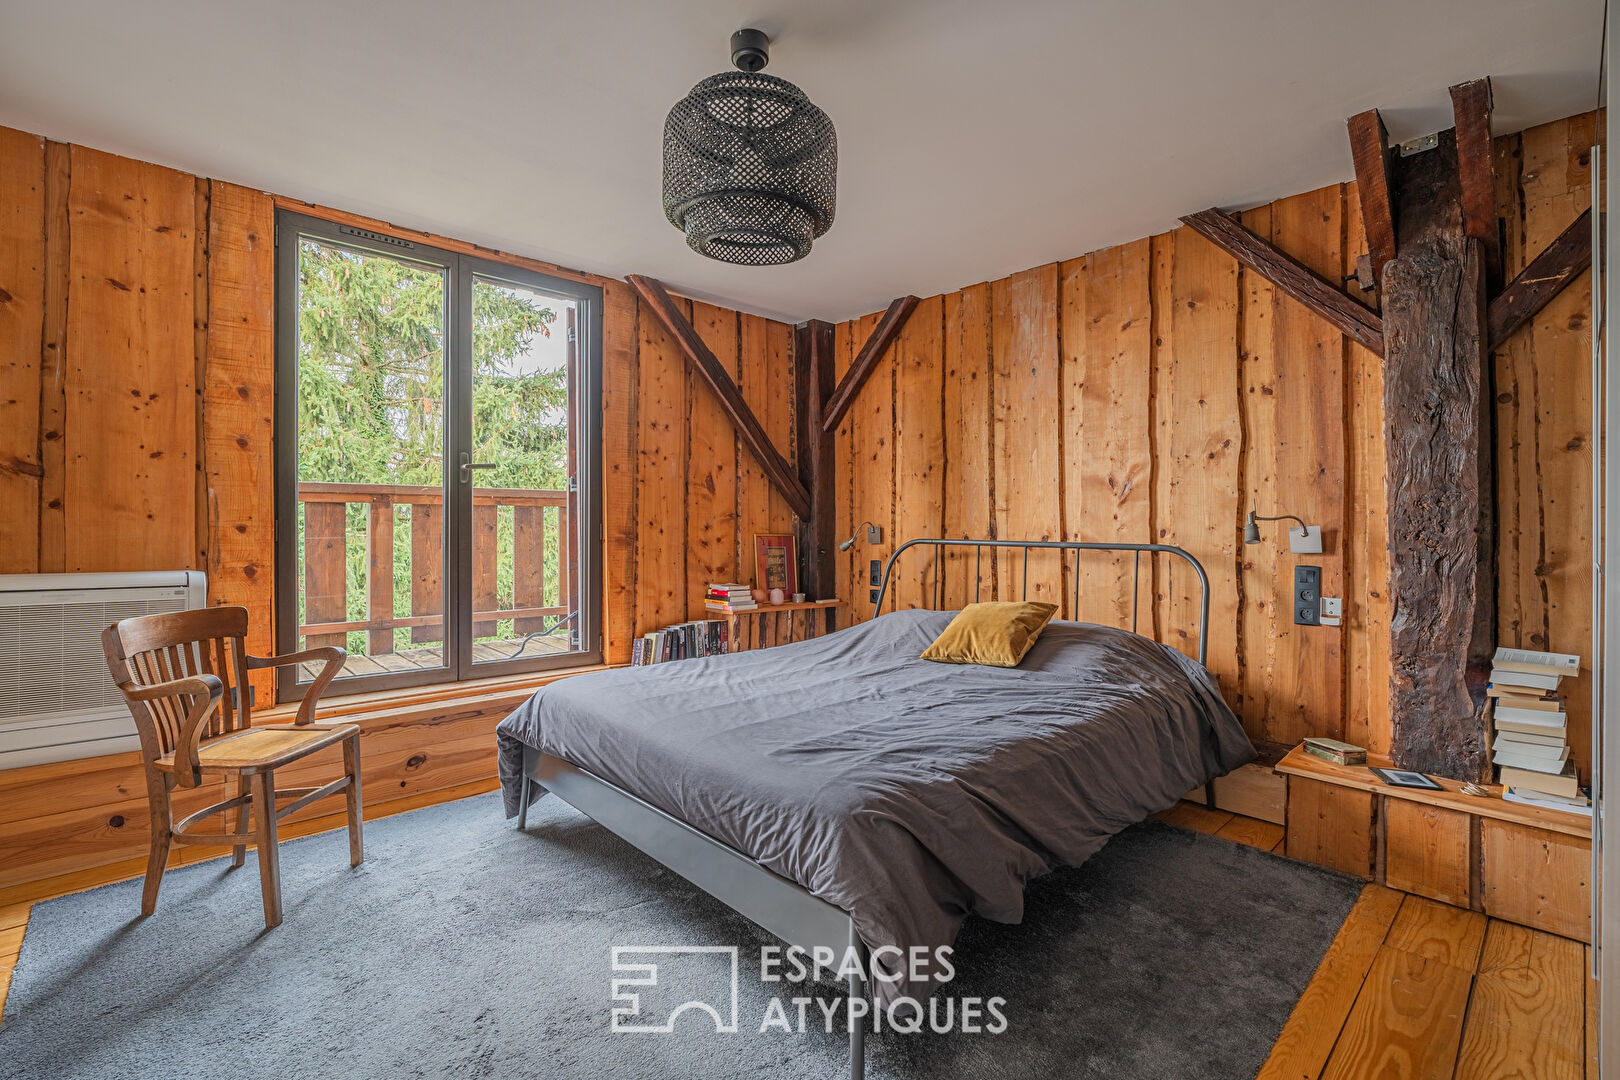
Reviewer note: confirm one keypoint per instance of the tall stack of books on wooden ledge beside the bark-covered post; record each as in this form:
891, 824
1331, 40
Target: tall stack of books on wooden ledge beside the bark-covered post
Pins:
1532, 747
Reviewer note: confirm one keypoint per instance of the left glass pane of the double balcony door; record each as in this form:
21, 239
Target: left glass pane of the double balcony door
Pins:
369, 454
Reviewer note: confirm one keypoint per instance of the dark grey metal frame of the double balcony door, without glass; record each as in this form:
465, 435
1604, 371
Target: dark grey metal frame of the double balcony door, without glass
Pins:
461, 273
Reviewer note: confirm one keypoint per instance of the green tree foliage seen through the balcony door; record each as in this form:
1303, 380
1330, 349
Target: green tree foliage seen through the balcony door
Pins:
372, 388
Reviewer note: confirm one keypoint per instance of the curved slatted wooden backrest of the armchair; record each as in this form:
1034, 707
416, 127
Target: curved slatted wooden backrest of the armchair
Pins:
153, 650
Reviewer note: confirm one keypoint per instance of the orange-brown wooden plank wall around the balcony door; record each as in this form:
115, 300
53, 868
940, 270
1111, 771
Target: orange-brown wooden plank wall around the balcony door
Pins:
137, 412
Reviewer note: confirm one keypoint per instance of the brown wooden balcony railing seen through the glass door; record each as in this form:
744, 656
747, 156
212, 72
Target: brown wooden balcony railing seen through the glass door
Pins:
326, 579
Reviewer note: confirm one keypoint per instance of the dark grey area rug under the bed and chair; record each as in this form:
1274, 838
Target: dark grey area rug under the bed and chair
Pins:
464, 948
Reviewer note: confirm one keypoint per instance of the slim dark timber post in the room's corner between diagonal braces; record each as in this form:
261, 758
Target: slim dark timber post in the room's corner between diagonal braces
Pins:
814, 386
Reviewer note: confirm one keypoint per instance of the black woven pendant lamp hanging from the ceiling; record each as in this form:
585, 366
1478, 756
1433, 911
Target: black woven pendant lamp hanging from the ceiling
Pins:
751, 164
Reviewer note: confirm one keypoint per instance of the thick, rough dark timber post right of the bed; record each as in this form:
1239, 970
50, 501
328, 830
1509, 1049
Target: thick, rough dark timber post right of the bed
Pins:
1441, 490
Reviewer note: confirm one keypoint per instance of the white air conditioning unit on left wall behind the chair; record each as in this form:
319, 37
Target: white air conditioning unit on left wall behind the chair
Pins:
58, 700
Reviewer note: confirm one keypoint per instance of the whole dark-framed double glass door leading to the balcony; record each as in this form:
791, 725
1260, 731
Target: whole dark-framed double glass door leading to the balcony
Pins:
437, 459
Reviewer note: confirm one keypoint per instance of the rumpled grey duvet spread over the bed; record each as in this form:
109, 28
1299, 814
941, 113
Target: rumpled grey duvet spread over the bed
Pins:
902, 791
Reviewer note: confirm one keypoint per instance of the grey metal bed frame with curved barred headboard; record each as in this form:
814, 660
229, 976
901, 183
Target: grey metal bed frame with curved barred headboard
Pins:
765, 898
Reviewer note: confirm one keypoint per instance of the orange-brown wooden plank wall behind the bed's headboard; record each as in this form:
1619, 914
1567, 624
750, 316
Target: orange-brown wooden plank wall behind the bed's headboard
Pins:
1156, 391
